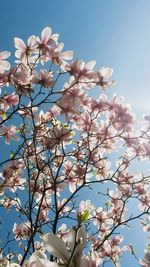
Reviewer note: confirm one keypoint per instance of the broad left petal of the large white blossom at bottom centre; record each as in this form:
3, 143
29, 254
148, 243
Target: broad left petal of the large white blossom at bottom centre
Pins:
56, 247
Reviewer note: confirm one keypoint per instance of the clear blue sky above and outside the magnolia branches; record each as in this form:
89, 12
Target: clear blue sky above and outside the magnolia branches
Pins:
114, 32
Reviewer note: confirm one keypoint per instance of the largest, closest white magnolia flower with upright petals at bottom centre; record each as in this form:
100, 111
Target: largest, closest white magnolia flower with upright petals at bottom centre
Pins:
76, 240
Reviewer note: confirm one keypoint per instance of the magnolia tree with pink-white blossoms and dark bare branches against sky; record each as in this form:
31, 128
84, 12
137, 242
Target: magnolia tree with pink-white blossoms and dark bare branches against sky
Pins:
71, 169
